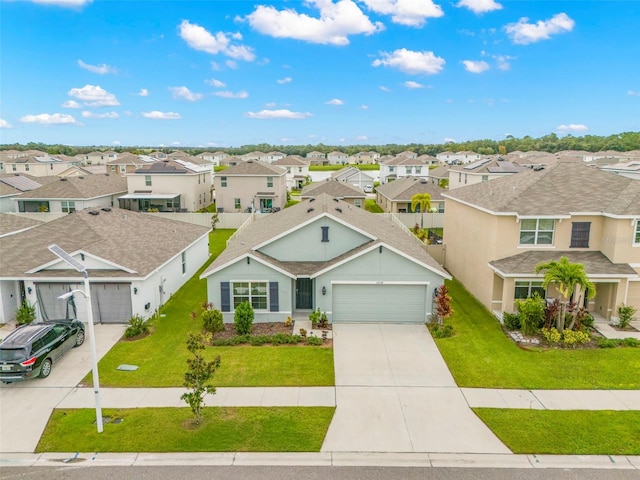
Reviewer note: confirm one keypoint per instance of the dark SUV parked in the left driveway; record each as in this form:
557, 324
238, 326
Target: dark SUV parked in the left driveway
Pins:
30, 350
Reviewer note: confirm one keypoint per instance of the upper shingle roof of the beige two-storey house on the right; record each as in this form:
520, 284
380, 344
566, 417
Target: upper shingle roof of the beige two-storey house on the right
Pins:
561, 189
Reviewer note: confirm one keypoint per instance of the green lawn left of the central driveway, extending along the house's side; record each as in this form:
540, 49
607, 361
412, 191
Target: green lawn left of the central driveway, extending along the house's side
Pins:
162, 356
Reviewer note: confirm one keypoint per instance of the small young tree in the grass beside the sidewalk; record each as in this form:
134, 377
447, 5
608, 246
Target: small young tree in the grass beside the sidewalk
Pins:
197, 377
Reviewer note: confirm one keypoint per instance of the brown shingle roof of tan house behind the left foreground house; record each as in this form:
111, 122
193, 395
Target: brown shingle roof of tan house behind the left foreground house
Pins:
91, 186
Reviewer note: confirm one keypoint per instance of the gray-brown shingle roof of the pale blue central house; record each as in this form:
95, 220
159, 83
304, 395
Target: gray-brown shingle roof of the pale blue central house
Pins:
379, 226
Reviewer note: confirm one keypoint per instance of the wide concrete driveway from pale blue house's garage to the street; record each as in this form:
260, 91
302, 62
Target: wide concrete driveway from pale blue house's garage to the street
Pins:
394, 393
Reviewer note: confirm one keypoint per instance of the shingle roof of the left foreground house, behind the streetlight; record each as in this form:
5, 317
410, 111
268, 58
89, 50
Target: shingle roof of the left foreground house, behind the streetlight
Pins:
137, 241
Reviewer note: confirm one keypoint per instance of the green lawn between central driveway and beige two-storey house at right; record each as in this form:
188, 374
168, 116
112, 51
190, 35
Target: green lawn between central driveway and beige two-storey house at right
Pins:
481, 355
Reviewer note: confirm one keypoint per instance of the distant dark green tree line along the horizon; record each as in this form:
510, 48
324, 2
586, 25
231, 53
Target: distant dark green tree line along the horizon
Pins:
551, 143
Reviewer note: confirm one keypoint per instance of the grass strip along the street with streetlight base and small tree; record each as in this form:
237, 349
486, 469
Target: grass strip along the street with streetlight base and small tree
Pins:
223, 429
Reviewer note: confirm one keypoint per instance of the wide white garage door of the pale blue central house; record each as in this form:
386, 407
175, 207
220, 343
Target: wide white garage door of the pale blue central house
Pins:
379, 303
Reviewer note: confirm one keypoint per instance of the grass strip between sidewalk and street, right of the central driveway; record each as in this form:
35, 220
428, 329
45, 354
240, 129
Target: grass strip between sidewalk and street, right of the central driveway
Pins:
565, 432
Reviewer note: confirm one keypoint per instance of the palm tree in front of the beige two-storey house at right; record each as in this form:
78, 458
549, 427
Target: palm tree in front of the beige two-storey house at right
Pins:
571, 281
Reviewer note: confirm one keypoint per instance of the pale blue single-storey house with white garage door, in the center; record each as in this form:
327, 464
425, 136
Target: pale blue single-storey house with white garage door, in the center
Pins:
326, 254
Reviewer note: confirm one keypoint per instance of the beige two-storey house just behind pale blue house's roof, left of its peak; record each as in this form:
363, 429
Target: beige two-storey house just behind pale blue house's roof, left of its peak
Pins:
251, 186
